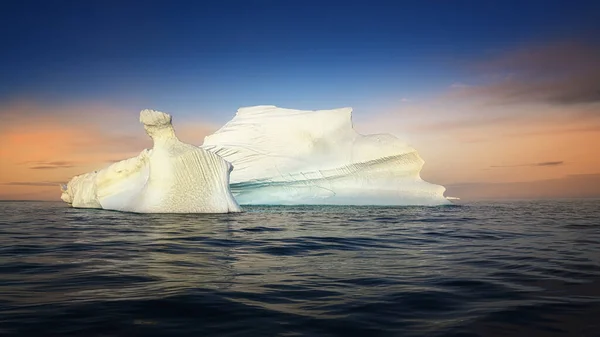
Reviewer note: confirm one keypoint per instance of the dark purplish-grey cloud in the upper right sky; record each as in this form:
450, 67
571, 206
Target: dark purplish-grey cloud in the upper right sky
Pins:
562, 73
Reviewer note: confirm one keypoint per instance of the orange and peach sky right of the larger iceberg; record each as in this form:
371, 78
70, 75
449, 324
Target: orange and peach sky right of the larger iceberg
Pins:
499, 159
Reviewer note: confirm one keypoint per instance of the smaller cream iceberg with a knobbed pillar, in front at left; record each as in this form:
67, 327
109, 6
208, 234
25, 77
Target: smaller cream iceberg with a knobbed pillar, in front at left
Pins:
173, 177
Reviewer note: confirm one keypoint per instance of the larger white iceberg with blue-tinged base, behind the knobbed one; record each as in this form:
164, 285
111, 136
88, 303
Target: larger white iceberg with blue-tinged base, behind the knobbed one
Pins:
284, 156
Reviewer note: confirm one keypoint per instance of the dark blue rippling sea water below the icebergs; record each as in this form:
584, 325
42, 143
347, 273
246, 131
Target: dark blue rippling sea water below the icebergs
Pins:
487, 269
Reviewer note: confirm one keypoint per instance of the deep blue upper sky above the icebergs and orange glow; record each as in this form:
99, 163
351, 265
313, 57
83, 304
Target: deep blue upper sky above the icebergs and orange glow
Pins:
210, 57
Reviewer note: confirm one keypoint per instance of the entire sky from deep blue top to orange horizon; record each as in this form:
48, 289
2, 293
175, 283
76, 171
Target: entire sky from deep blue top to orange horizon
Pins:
500, 98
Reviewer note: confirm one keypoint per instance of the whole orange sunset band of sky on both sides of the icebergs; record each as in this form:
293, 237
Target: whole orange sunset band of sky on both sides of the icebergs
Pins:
492, 160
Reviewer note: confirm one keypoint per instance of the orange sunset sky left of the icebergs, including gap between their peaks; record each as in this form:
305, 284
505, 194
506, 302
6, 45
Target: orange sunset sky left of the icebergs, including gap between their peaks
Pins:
42, 147
